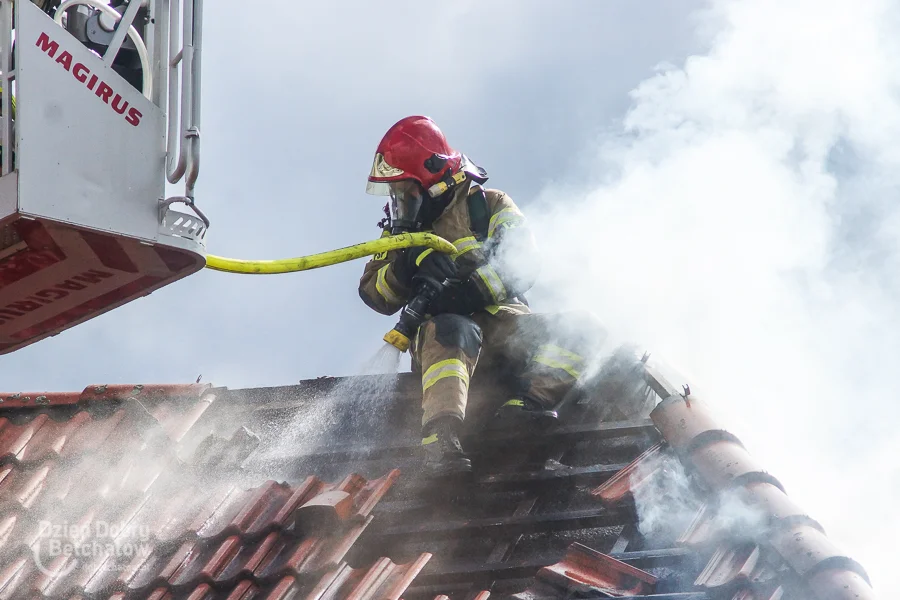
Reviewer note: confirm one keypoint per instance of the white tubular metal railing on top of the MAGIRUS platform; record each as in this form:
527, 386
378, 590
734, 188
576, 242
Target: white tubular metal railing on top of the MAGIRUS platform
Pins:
162, 52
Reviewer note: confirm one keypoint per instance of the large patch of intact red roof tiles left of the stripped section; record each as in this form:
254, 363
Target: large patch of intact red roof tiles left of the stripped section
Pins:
120, 465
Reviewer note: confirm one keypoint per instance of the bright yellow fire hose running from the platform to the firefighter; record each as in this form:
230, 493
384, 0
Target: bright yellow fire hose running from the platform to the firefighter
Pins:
325, 259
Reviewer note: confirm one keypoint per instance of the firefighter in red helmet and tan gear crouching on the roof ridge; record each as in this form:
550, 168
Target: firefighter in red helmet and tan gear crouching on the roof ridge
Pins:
482, 319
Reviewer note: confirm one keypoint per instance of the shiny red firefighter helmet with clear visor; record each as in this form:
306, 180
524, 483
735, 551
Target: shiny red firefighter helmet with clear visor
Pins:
413, 149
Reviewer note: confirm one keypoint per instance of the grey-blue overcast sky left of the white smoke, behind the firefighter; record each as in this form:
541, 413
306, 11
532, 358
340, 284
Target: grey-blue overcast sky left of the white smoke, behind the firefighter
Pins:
291, 118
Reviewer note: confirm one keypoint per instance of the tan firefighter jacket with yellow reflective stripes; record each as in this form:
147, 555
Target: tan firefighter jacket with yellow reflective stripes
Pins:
494, 248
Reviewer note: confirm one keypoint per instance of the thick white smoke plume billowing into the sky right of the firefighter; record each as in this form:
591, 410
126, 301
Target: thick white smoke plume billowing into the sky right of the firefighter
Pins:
743, 224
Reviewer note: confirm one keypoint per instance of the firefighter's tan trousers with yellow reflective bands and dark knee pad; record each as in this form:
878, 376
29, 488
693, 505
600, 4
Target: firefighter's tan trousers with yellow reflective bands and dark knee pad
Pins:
546, 352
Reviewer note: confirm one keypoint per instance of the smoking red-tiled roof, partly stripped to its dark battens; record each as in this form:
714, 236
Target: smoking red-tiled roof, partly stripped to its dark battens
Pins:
218, 493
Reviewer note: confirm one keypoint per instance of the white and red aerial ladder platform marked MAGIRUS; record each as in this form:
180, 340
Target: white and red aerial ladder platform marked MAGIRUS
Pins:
100, 109
